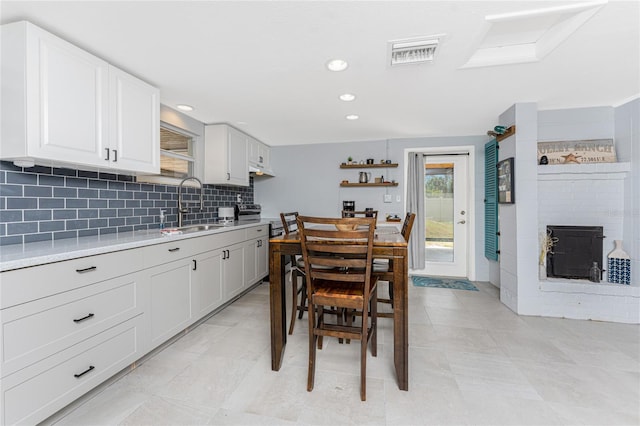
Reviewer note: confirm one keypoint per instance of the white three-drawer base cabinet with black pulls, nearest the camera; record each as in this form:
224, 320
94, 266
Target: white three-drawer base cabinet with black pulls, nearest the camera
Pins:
65, 327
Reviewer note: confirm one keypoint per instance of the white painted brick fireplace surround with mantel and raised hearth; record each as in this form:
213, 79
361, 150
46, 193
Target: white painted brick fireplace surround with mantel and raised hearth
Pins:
586, 195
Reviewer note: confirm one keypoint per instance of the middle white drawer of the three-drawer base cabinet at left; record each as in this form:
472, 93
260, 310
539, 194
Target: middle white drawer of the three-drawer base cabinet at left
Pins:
36, 330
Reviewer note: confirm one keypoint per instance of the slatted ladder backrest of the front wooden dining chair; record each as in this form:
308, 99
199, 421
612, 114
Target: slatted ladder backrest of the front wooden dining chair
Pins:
333, 252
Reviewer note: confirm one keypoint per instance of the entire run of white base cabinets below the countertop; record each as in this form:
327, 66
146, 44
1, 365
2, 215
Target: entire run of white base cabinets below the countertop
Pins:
95, 327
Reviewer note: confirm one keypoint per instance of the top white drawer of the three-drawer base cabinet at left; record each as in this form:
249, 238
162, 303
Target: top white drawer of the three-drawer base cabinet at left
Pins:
27, 284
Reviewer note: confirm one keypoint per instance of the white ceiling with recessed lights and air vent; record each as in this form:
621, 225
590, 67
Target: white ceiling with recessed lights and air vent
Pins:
260, 65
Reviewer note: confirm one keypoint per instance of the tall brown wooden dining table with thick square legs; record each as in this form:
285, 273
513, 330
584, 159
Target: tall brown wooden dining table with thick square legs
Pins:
388, 244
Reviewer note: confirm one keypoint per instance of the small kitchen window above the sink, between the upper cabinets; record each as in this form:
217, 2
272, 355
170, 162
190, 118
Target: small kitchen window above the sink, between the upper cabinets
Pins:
176, 153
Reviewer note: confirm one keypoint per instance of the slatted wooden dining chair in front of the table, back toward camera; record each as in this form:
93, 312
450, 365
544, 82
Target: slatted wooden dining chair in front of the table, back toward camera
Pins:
338, 258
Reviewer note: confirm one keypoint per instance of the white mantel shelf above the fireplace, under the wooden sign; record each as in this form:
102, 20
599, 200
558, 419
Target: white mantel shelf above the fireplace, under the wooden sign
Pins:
598, 171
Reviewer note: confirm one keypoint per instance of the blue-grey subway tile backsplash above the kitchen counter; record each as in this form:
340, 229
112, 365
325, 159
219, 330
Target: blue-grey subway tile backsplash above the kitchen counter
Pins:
47, 203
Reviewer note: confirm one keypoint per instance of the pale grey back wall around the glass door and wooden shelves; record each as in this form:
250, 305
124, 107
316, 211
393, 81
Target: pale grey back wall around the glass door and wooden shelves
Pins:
308, 180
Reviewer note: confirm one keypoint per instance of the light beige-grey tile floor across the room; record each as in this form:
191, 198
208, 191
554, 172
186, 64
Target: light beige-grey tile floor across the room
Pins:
472, 361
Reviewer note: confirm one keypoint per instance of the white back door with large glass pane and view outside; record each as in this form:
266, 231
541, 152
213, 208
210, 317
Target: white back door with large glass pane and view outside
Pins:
447, 218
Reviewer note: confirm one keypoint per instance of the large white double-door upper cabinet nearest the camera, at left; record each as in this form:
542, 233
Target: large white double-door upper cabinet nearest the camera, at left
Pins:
62, 105
